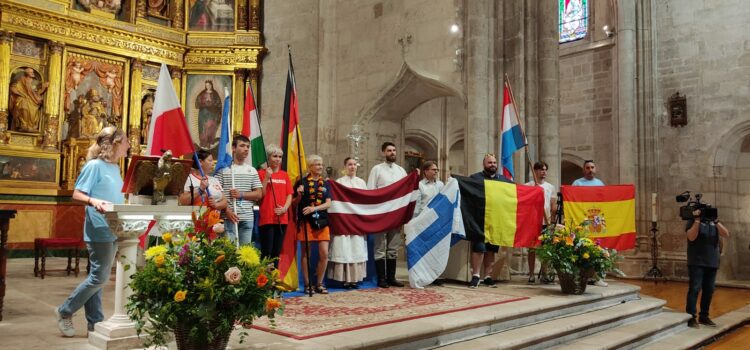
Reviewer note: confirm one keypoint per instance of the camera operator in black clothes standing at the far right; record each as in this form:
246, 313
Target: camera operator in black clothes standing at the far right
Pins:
703, 262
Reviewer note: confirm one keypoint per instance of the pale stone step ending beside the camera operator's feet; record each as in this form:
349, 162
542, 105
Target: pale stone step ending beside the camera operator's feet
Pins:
632, 334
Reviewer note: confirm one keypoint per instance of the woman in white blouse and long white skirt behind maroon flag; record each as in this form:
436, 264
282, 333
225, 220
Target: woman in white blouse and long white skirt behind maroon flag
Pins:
348, 257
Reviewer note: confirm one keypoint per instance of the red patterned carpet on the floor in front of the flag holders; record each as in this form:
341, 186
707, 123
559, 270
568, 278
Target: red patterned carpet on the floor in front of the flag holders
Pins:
306, 317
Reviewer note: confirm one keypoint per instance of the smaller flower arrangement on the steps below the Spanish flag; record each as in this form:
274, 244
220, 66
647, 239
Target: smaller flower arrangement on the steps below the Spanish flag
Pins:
570, 251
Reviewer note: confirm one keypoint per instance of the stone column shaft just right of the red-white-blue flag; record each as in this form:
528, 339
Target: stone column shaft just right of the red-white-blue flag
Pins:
549, 90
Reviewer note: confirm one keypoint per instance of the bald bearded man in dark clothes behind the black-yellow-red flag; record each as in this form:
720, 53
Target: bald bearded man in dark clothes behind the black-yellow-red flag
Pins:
483, 253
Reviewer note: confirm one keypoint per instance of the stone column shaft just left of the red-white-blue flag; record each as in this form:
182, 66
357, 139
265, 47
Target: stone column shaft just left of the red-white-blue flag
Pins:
480, 81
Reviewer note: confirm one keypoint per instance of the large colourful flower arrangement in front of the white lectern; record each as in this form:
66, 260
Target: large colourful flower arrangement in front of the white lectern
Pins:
201, 287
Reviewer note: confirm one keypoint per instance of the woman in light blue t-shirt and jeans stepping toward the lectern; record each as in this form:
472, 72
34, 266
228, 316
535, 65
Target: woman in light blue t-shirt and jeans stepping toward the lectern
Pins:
98, 184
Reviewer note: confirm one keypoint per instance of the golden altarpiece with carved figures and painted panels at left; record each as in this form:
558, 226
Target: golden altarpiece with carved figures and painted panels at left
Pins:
70, 67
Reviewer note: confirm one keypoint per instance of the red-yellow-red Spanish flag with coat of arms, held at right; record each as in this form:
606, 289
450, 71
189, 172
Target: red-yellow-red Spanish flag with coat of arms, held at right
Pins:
609, 212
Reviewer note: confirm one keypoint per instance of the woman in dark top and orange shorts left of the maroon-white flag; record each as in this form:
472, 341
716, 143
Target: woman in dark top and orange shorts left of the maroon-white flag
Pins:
314, 198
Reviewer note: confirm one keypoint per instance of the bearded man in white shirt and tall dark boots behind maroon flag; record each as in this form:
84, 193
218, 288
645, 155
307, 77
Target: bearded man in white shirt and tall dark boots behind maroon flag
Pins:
387, 243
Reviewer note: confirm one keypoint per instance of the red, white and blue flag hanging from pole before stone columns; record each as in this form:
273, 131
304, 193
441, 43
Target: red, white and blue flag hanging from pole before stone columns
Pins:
511, 138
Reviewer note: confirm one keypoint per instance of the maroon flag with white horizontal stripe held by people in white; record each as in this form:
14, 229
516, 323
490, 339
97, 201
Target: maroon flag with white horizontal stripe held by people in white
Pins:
356, 211
